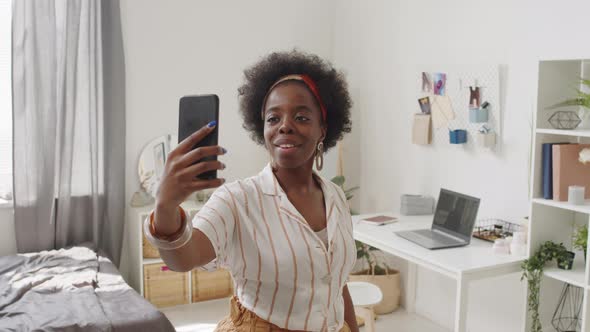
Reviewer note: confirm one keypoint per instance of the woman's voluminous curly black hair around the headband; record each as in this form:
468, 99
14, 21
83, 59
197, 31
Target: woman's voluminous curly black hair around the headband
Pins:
331, 84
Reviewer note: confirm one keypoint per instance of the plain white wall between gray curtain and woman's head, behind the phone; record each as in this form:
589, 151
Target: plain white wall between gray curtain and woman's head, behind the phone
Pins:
176, 48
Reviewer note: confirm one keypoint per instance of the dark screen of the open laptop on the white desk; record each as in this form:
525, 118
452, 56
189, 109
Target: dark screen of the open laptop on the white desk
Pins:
455, 213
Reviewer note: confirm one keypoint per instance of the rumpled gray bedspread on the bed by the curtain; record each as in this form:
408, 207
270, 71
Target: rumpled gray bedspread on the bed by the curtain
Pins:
71, 290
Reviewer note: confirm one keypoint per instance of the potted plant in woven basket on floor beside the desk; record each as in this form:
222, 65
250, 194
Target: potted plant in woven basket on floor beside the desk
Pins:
377, 272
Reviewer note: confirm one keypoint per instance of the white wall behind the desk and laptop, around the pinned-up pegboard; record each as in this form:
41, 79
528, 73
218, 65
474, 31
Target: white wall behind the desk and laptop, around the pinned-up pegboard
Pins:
391, 40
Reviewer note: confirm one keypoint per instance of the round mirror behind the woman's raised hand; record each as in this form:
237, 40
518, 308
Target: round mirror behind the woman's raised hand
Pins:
152, 161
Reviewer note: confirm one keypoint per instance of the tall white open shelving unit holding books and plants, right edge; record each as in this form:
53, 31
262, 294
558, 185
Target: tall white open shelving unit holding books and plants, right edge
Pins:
552, 220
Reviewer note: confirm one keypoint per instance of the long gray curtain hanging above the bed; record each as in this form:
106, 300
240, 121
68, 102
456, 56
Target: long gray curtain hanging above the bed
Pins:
69, 124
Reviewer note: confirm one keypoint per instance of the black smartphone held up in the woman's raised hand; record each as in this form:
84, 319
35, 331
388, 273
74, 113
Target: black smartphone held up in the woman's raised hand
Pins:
196, 112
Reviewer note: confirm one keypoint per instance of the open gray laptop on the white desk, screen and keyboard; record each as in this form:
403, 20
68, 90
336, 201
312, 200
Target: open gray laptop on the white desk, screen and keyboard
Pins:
453, 222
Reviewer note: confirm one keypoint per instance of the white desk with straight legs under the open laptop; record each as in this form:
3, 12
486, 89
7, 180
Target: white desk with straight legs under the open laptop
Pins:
463, 264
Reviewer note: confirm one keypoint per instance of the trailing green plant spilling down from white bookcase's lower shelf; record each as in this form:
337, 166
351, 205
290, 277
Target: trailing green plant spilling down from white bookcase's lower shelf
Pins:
533, 272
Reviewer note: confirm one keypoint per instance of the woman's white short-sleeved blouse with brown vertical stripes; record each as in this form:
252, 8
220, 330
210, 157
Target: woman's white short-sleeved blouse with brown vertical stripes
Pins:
281, 269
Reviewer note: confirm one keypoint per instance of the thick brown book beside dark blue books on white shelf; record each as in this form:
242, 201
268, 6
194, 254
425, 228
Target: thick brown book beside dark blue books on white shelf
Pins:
568, 170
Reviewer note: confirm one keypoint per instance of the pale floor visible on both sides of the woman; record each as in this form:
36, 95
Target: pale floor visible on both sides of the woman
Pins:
202, 317
